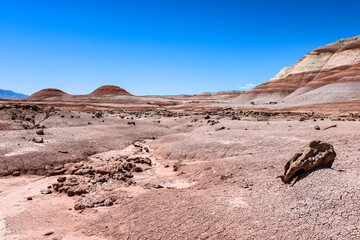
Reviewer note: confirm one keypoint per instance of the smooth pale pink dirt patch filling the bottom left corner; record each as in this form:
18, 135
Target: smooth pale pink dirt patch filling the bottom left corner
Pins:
13, 197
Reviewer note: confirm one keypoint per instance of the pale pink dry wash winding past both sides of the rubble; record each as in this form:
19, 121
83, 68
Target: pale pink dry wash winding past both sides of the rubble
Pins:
15, 191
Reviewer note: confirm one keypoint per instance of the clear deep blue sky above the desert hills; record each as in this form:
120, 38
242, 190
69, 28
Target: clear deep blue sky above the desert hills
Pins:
162, 47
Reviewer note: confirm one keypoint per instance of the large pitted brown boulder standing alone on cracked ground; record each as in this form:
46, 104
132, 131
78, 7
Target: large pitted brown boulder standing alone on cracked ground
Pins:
313, 155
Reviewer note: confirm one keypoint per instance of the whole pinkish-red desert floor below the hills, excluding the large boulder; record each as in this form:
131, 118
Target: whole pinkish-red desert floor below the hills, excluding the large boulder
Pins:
181, 167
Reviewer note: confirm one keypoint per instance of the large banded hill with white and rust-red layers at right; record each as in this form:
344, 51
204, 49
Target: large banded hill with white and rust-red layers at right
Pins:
326, 74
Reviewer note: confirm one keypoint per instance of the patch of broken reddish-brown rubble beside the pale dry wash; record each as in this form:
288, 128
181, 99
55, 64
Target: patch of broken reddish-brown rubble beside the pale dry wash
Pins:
93, 178
